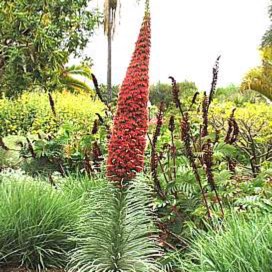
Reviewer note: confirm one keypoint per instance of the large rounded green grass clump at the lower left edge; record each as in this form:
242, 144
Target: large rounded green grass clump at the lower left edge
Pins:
35, 223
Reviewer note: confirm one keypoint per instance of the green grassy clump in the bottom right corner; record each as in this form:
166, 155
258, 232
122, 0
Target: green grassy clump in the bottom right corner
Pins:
239, 244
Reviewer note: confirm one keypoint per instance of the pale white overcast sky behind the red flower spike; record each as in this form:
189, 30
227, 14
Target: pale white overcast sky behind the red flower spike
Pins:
187, 36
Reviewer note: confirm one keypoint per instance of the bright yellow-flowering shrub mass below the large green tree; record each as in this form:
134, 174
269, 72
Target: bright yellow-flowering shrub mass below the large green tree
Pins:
31, 113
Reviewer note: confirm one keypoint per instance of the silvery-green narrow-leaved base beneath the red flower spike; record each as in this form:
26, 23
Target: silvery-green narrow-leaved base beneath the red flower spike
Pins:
116, 232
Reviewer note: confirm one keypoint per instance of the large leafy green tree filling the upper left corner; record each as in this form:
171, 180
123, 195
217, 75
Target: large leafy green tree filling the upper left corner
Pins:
38, 37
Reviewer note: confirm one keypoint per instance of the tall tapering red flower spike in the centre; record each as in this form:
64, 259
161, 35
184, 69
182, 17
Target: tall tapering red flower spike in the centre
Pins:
128, 140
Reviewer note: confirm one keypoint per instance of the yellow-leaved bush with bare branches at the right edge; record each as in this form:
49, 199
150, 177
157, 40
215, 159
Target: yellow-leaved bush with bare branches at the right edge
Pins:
255, 126
